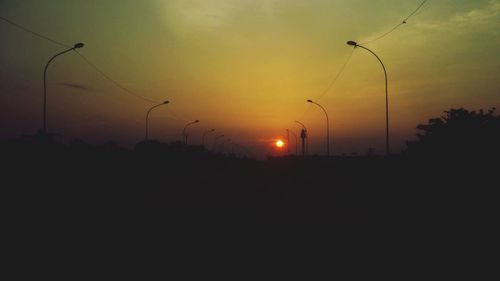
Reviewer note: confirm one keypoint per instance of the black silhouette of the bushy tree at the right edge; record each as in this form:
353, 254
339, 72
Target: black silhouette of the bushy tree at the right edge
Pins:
459, 133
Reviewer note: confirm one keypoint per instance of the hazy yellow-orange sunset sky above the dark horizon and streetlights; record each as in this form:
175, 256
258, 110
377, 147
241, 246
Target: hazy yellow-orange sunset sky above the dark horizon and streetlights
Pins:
246, 68
